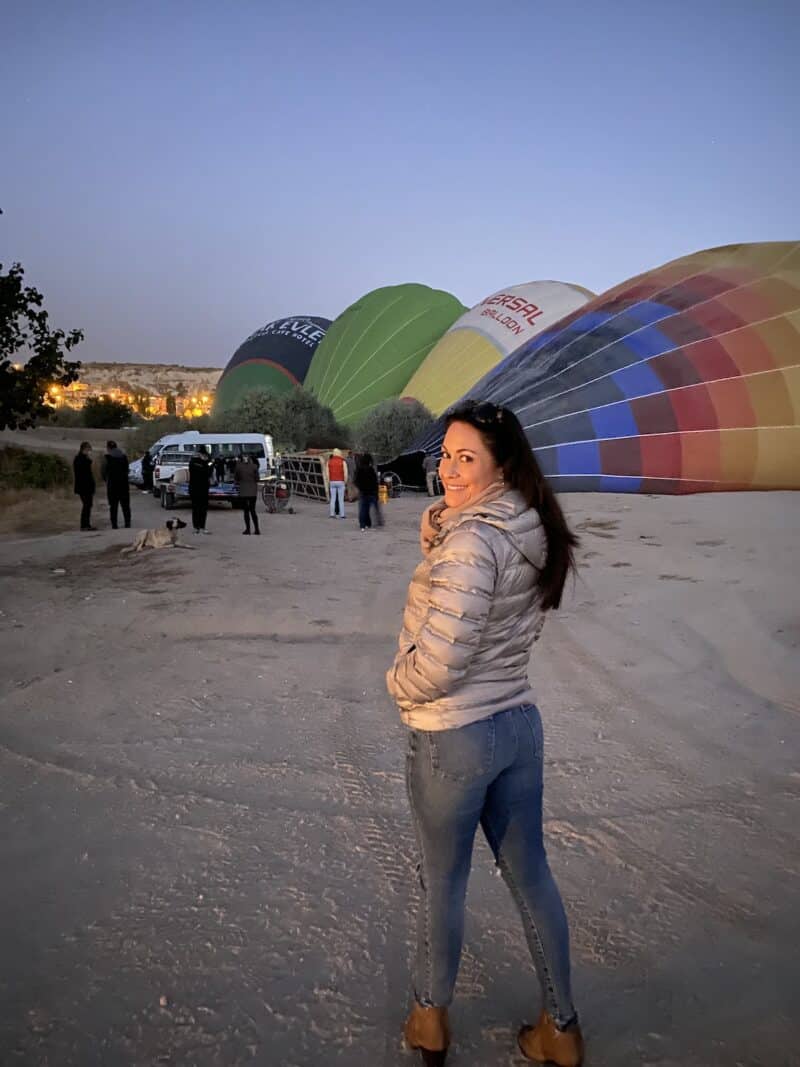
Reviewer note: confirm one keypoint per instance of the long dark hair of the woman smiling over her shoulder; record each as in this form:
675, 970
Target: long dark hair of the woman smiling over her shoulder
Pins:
505, 438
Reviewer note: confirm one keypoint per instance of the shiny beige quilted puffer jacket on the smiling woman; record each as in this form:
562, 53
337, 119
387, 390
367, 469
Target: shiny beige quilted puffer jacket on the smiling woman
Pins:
471, 618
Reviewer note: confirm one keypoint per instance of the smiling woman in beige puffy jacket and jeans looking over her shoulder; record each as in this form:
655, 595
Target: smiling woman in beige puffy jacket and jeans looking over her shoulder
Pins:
497, 555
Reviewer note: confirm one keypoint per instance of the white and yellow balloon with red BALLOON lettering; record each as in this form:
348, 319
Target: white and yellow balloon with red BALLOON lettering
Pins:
488, 333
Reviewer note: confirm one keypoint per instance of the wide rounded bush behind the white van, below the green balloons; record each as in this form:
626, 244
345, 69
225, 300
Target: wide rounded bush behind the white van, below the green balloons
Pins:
296, 420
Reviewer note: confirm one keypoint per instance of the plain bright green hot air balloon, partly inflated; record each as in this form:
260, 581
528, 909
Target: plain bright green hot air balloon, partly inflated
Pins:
376, 345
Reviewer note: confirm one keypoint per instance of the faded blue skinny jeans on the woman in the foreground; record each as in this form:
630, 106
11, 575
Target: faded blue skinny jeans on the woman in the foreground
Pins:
491, 773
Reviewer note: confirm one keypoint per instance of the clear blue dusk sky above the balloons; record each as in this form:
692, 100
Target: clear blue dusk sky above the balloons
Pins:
178, 174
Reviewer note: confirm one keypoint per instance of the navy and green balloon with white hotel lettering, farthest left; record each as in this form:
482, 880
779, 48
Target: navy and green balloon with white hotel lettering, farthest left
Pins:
275, 358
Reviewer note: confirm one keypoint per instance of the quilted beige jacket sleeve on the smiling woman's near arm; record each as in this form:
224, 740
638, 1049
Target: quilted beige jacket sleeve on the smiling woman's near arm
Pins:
462, 586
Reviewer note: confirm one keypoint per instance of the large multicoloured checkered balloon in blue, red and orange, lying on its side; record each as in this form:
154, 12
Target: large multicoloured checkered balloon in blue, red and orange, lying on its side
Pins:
685, 379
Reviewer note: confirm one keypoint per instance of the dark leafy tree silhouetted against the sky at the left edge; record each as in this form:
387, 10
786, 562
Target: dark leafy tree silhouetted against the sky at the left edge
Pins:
25, 331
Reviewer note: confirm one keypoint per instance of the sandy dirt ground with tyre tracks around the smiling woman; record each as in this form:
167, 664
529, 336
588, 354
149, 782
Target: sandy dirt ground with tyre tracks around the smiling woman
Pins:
207, 854
